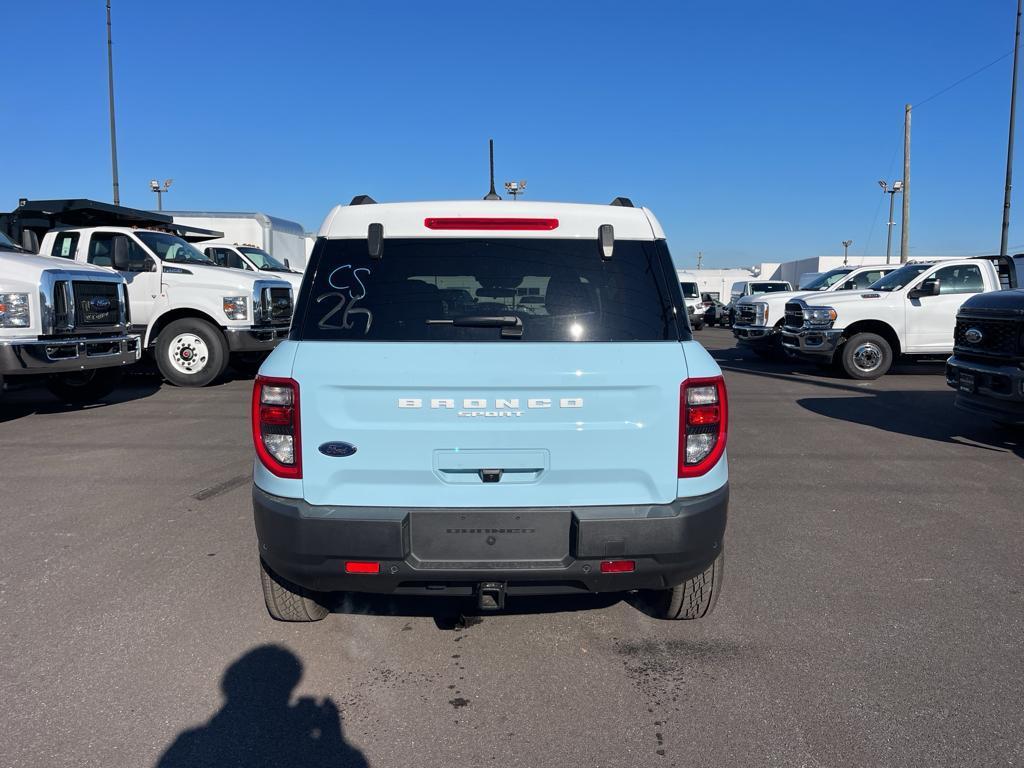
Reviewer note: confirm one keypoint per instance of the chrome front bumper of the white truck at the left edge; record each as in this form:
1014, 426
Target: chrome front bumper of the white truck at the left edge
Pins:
64, 356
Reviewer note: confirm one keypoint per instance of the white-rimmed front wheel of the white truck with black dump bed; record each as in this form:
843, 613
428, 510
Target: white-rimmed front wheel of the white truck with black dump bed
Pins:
191, 353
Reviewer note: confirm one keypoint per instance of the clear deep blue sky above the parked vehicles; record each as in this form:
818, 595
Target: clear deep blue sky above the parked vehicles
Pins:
756, 132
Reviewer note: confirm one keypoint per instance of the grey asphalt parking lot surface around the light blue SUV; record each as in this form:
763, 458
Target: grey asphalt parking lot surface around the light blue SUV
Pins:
873, 611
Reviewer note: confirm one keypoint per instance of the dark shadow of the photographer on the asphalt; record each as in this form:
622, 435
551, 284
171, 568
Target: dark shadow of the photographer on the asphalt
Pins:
261, 727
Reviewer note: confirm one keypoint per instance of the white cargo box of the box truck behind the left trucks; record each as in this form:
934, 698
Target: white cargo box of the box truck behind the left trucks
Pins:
281, 238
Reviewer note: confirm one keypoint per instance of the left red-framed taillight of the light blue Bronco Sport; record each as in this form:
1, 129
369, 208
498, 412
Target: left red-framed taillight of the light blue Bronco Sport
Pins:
276, 425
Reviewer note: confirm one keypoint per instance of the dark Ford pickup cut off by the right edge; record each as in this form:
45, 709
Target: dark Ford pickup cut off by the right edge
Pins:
988, 366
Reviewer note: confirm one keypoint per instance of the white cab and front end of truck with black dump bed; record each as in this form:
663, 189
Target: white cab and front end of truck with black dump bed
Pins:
192, 314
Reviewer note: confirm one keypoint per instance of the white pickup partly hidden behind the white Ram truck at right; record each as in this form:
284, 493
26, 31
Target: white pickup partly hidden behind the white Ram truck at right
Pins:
760, 318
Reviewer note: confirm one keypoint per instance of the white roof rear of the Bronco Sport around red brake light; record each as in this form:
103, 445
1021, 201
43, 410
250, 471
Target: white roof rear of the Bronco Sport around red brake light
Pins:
564, 220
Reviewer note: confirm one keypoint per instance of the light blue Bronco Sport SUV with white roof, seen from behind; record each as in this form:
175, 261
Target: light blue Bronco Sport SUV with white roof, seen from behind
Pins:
490, 399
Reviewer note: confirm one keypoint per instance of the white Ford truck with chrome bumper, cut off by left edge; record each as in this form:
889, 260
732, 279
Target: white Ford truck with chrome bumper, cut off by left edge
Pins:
65, 326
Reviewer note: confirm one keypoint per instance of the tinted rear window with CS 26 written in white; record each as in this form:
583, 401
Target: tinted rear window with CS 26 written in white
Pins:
560, 290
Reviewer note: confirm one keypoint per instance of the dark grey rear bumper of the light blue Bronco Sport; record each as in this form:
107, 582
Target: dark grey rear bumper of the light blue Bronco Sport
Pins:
310, 546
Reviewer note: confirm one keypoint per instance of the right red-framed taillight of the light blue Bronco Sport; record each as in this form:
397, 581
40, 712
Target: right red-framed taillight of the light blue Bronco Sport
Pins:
704, 418
